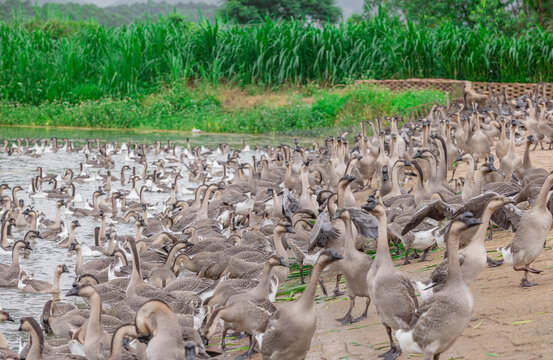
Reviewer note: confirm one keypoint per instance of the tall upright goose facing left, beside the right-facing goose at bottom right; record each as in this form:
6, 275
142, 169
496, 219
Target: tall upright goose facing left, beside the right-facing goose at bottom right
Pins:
391, 292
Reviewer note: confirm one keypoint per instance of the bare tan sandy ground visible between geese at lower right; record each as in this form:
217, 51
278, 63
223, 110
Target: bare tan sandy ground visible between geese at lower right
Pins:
509, 322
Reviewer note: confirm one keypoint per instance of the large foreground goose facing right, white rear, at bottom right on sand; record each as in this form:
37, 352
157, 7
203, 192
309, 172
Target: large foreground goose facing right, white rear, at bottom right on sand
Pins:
441, 319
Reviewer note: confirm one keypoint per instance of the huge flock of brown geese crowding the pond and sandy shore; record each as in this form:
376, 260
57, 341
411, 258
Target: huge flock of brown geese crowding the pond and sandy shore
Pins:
173, 248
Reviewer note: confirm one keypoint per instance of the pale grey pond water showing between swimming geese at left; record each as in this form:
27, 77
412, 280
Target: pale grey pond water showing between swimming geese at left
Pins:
46, 255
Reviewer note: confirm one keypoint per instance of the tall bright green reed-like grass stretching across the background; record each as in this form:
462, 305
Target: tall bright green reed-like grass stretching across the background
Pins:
89, 62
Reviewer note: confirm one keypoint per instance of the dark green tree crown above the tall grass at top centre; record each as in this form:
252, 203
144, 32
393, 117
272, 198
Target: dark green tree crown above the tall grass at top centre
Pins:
246, 11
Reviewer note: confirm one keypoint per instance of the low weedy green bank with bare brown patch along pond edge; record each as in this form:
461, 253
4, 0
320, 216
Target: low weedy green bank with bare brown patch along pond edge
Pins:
226, 109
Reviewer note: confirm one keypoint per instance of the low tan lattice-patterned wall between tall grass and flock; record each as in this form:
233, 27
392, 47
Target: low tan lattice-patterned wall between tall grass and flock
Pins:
456, 87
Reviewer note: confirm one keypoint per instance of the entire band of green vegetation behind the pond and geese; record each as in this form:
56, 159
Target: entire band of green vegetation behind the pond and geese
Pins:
167, 65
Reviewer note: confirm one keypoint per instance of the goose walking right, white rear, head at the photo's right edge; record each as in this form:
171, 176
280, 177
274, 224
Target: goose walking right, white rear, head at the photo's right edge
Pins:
528, 242
